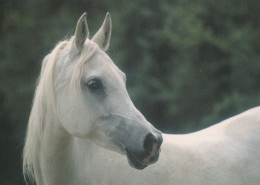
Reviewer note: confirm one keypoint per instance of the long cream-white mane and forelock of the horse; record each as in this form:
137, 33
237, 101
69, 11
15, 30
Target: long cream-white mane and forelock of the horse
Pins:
44, 107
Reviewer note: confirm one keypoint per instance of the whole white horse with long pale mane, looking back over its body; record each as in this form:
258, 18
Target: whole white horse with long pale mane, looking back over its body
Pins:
83, 124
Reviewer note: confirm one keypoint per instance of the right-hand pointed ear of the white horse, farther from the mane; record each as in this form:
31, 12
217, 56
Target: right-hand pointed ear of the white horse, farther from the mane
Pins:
102, 37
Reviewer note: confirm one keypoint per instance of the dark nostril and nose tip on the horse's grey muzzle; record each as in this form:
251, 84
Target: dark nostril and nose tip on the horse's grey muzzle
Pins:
152, 142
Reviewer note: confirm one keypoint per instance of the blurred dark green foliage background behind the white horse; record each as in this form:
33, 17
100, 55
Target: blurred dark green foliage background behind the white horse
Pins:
189, 64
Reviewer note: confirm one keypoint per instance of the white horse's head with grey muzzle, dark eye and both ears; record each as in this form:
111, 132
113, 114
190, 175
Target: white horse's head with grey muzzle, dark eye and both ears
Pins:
92, 100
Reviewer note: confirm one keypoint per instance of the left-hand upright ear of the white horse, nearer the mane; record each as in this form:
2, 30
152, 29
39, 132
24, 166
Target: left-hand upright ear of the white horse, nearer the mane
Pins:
81, 33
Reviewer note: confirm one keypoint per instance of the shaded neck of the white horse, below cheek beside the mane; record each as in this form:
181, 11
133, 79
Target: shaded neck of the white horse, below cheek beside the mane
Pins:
54, 156
